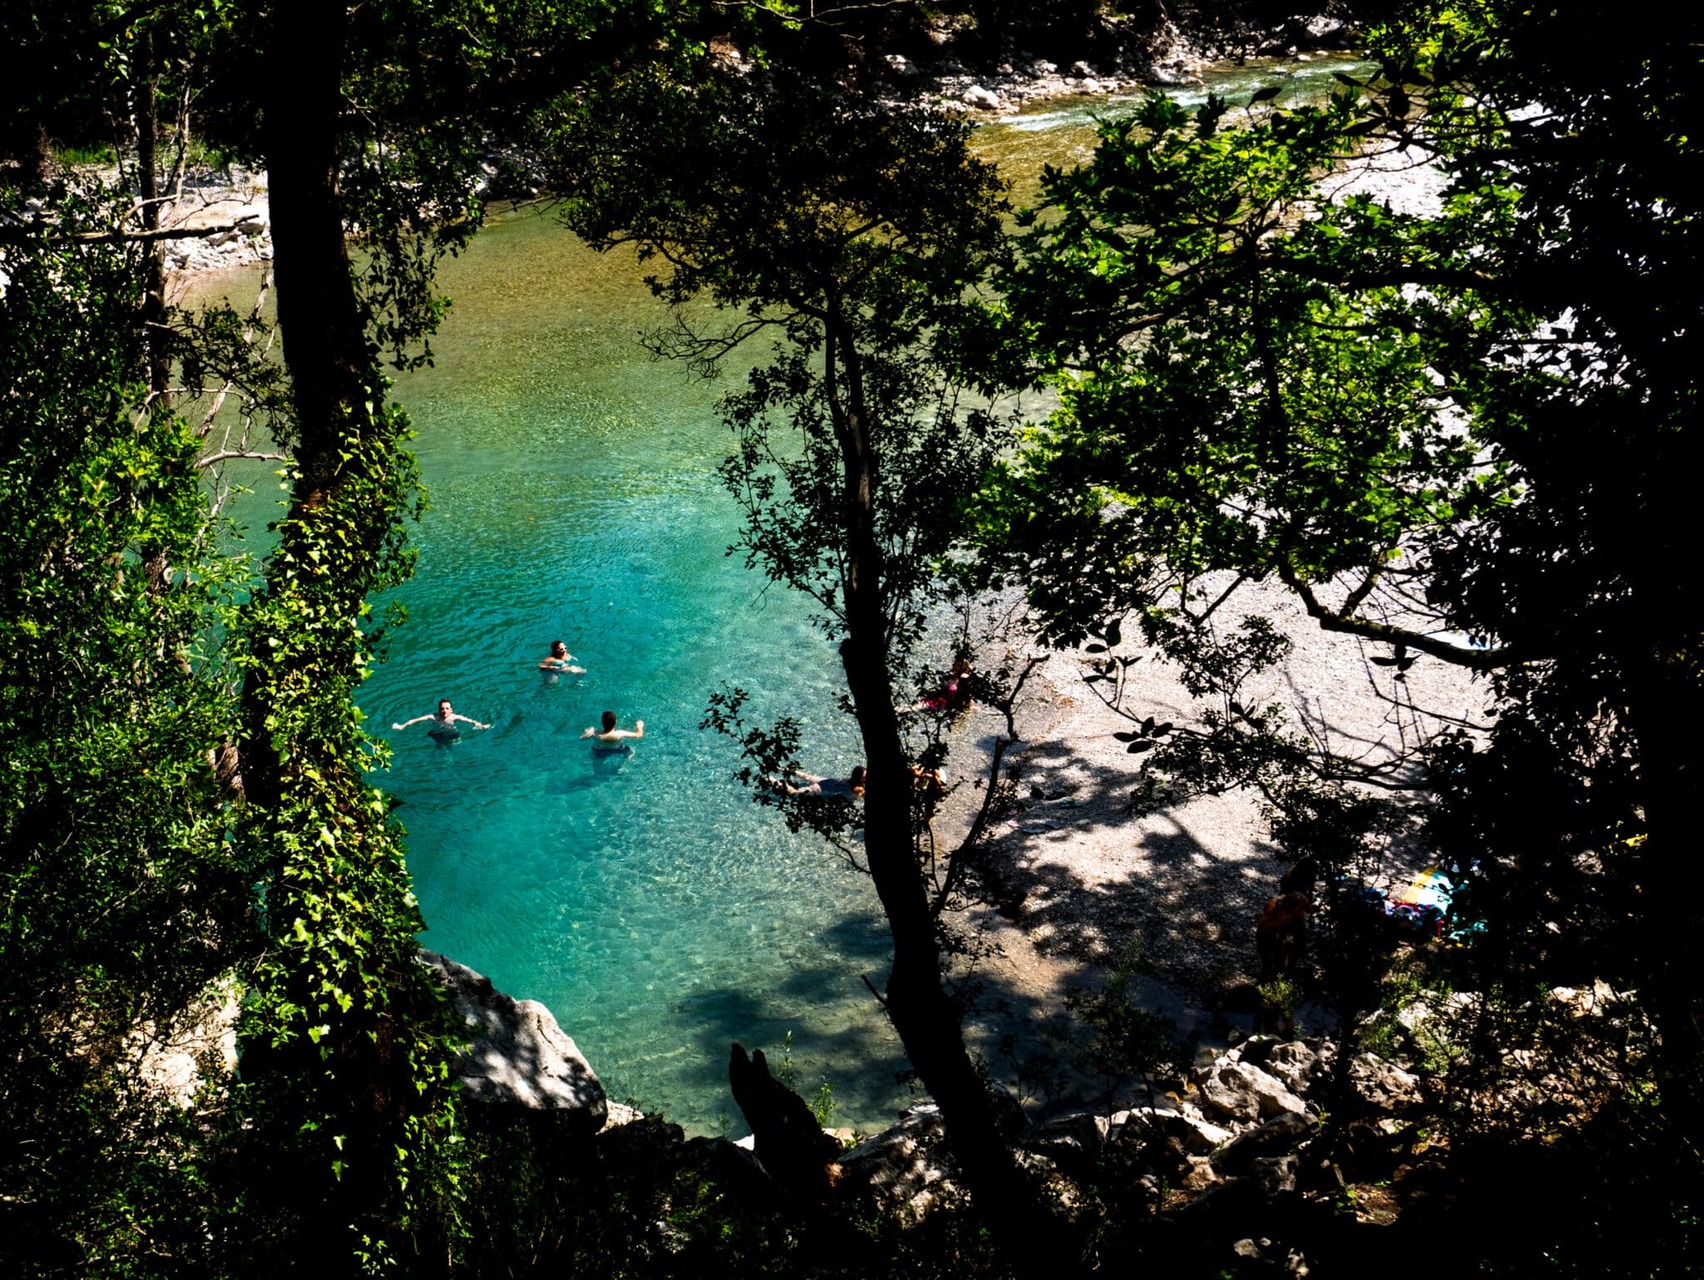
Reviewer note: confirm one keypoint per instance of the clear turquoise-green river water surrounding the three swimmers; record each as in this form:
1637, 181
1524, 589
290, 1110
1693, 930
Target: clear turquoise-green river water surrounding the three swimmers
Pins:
573, 492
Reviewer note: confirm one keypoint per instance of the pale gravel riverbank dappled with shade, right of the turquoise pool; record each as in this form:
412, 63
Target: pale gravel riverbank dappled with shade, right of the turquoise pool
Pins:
1085, 879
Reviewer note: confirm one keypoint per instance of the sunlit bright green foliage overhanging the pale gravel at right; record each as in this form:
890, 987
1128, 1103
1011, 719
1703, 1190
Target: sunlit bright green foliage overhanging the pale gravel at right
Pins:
1226, 406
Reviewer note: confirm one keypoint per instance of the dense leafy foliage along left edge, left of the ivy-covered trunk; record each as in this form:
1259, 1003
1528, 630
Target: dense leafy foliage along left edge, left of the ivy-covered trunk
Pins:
122, 896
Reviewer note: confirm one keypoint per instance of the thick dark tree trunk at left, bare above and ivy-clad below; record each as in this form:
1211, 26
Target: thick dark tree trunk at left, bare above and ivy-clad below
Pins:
304, 659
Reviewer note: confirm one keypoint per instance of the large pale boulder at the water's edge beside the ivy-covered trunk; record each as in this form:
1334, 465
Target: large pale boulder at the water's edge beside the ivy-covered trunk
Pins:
519, 1056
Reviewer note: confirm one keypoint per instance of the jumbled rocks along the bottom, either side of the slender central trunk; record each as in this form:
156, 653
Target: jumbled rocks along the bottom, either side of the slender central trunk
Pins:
1267, 1160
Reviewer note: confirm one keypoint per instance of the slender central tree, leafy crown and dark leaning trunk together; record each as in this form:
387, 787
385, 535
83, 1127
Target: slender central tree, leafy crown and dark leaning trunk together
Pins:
846, 231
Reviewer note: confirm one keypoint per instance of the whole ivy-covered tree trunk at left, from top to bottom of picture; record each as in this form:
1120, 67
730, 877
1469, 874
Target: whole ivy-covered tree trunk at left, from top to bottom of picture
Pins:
347, 1049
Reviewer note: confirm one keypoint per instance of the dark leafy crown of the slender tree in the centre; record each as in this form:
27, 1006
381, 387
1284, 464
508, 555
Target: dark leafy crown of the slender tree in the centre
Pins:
843, 231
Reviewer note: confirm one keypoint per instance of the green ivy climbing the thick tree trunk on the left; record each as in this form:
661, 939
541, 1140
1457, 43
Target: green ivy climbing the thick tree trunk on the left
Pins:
348, 1044
